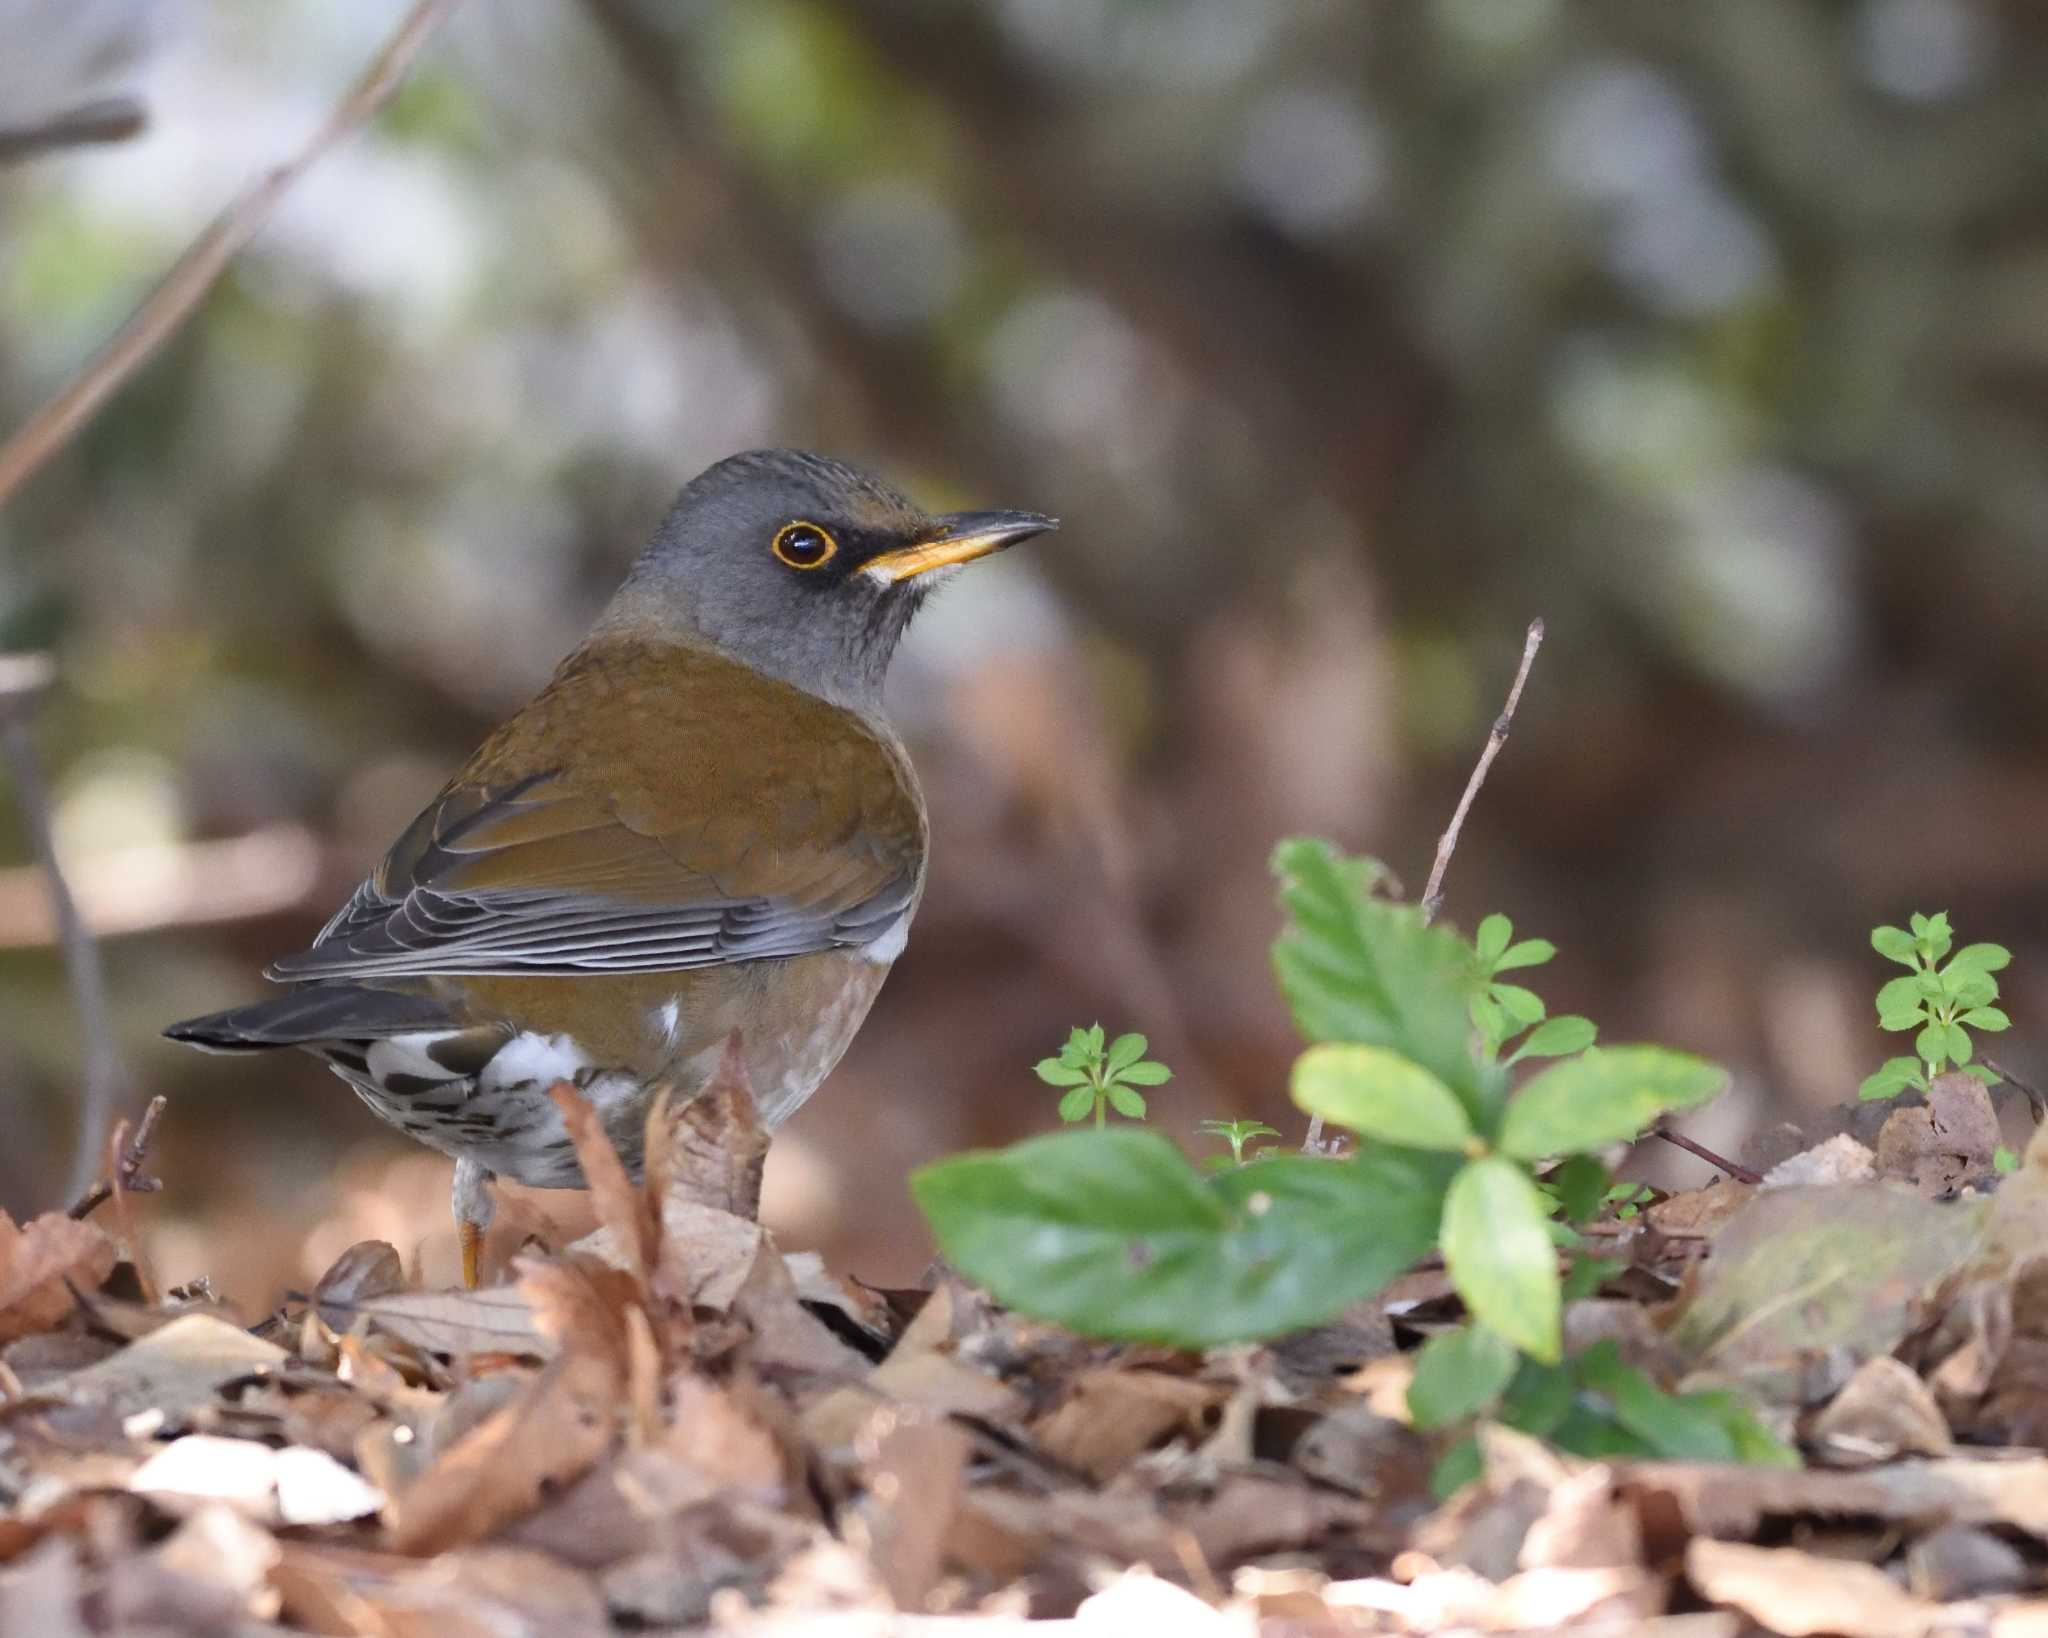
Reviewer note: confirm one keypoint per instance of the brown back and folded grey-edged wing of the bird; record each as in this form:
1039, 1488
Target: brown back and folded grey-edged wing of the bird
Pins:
650, 812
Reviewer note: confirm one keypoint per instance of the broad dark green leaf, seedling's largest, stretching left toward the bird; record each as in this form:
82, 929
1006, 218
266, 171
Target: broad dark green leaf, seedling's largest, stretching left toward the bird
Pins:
1115, 1236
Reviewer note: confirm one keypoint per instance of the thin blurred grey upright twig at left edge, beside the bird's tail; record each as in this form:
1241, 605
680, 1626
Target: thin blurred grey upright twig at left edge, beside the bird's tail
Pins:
24, 681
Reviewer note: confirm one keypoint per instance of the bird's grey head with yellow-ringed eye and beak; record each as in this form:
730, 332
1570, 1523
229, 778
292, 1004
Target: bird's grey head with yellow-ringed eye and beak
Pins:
804, 568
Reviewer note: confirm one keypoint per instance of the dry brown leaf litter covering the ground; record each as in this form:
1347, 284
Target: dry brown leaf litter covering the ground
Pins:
675, 1428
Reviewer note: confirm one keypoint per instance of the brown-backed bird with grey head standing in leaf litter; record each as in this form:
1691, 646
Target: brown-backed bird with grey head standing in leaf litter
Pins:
701, 826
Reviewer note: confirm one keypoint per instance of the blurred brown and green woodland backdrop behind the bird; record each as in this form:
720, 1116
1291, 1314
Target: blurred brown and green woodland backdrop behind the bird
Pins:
1345, 337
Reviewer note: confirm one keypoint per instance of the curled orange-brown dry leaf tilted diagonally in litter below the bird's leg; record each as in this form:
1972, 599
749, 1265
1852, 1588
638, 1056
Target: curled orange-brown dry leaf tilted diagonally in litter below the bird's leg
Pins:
501, 1471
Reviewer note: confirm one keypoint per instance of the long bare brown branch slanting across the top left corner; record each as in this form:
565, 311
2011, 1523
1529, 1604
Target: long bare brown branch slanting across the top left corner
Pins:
173, 302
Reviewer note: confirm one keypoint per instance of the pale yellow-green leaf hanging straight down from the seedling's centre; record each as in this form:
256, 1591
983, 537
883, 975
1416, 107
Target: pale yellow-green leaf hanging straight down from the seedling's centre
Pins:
1500, 1256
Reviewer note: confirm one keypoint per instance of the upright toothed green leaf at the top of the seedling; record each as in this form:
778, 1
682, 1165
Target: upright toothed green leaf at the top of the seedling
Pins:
1357, 969
